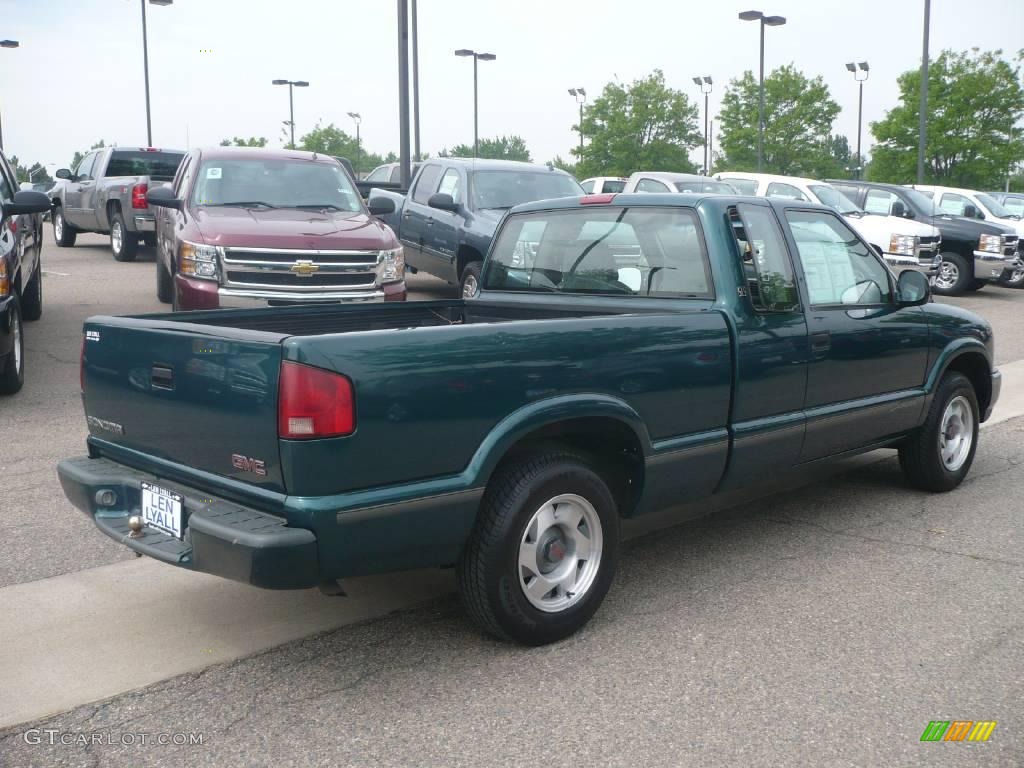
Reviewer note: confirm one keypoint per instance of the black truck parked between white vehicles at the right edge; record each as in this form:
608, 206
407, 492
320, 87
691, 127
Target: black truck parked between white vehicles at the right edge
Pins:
973, 252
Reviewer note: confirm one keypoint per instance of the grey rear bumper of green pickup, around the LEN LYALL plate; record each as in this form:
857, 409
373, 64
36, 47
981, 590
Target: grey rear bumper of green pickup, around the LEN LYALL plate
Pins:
222, 537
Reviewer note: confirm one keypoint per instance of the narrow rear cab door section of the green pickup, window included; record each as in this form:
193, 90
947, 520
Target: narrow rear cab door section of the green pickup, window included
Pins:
772, 352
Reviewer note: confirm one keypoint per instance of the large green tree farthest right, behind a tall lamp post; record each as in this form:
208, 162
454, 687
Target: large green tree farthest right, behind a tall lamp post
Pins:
975, 105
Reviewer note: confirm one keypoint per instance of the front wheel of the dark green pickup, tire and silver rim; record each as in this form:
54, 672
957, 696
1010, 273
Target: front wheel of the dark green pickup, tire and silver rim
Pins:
940, 456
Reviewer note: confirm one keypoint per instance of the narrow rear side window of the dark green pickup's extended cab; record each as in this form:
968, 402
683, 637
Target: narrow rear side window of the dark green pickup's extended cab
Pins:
766, 263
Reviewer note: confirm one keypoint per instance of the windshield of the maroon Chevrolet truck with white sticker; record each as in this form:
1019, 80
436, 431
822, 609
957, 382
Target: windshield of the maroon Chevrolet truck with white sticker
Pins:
275, 183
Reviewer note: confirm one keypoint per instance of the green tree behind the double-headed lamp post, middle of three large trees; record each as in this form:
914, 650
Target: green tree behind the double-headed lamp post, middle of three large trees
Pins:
799, 117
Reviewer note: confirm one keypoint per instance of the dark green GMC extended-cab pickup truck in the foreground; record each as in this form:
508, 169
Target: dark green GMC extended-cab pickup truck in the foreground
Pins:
627, 354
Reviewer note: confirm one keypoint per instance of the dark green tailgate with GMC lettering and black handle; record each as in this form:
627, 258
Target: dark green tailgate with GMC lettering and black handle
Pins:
197, 396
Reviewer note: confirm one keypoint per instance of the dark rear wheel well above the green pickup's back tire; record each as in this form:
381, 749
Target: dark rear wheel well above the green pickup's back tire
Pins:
609, 446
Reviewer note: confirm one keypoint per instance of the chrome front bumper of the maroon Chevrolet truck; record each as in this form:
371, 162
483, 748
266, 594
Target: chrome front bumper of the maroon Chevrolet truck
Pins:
204, 294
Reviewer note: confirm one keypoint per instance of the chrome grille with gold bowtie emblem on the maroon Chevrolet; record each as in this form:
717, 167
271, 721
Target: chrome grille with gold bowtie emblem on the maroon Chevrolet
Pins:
298, 271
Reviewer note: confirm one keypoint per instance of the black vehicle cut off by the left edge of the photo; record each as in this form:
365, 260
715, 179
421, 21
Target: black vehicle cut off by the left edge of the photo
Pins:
21, 273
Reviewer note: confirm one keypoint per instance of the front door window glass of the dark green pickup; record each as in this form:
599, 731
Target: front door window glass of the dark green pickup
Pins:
840, 270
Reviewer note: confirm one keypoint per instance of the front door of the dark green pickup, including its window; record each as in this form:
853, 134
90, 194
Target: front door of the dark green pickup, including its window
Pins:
869, 356
